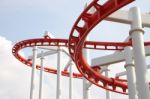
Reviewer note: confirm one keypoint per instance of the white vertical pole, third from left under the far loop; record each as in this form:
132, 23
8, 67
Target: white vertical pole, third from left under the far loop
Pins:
58, 91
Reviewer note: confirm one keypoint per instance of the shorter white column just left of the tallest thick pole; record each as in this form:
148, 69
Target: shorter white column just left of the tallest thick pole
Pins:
130, 68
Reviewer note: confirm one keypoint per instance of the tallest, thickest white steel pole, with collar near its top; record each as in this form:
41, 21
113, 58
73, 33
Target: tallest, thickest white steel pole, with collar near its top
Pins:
139, 53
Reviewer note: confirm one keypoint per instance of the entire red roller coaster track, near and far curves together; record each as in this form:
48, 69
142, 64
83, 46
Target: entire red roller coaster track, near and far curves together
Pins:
77, 42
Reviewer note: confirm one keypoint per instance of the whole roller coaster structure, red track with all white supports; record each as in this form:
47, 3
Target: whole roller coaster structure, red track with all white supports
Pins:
132, 52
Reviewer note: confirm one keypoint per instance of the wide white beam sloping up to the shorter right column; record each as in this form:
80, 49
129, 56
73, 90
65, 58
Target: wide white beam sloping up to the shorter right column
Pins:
114, 58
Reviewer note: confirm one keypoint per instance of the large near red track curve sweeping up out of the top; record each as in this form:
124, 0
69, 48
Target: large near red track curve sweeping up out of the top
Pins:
75, 49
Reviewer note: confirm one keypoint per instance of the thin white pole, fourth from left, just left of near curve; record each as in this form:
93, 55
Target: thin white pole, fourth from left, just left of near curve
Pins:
70, 82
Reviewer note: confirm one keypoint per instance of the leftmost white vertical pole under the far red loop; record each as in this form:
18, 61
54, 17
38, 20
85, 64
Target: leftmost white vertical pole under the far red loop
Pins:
33, 70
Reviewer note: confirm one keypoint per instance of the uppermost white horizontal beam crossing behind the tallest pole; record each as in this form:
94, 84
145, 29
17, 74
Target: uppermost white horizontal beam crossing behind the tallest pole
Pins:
122, 17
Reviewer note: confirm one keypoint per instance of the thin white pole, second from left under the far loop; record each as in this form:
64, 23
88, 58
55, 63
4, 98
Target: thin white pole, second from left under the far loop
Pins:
41, 76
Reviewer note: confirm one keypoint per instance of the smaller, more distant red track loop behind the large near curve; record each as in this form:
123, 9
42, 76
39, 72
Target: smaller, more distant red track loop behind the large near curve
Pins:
61, 42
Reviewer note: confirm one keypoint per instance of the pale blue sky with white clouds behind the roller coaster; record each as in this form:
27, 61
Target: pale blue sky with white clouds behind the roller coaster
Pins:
25, 19
